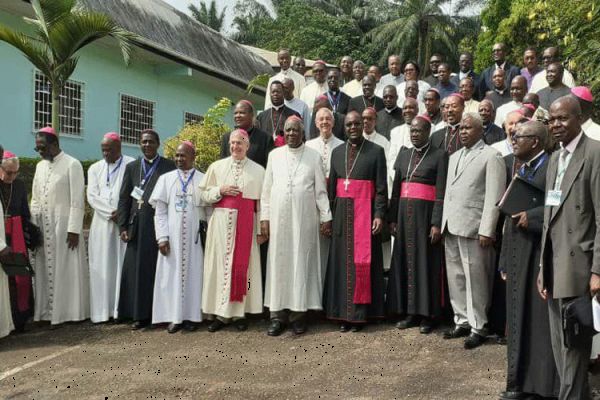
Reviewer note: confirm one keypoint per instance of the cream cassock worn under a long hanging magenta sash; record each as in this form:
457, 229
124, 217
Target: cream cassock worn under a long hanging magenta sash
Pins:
218, 254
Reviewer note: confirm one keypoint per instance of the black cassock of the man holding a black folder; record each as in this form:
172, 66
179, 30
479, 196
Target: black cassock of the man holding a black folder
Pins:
531, 367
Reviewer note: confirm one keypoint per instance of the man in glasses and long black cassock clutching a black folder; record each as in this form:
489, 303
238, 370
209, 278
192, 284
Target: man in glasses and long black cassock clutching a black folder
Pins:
531, 369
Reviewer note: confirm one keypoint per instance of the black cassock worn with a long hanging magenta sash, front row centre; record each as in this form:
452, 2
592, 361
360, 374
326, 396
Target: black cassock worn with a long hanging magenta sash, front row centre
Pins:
341, 272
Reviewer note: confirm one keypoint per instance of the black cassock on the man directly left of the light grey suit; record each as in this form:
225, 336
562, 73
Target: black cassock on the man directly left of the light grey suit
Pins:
416, 285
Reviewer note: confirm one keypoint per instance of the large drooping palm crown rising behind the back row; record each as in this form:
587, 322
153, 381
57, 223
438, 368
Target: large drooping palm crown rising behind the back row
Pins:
412, 32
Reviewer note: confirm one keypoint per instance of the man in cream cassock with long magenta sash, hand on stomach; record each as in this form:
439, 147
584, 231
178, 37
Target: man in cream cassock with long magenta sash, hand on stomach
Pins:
232, 285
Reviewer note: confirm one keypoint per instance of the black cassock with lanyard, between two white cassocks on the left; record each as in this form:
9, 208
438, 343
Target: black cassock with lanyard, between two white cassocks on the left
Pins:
139, 264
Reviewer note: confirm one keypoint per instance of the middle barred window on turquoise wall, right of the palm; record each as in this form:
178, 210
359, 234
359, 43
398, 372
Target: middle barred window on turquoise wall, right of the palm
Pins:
136, 115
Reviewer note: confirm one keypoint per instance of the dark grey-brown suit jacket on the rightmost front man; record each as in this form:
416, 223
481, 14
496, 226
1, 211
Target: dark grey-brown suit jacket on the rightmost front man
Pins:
571, 232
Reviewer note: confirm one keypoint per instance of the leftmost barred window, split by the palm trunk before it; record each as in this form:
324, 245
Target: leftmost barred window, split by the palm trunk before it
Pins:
71, 106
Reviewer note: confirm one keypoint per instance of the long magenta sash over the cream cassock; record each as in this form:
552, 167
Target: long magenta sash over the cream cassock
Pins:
243, 243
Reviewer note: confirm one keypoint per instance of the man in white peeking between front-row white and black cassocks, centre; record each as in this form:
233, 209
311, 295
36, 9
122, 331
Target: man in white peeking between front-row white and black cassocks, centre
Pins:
324, 145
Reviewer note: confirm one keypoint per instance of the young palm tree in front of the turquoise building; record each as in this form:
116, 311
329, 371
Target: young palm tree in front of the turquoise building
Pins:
60, 30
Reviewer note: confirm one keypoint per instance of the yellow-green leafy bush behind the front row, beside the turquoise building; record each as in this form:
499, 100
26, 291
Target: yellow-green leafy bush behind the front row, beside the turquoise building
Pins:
206, 135
